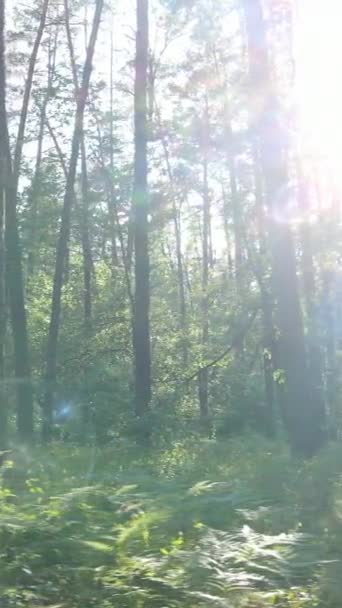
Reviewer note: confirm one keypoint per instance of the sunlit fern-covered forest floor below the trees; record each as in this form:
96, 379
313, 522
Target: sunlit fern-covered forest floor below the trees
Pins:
204, 523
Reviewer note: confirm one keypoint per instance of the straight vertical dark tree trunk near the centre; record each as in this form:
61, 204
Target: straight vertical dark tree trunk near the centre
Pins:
141, 337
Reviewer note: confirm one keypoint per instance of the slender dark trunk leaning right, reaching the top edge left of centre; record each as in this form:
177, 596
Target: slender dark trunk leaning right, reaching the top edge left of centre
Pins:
64, 234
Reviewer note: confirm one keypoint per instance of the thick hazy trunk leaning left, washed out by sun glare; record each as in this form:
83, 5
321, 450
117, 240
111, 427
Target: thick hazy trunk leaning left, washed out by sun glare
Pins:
303, 412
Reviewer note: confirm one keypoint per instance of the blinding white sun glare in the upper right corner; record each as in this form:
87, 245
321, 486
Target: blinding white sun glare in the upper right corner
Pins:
318, 57
